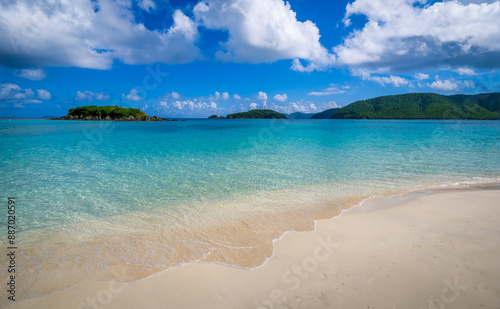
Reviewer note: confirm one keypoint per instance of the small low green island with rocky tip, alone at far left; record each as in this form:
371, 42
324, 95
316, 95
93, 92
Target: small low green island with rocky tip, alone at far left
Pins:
108, 113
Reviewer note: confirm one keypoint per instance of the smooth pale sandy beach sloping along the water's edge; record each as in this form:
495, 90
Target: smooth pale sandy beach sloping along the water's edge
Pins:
427, 249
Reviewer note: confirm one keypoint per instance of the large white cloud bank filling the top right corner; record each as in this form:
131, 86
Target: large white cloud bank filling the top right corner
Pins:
403, 35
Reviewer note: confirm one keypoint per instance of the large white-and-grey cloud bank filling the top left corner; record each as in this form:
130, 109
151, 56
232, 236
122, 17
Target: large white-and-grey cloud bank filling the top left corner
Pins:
90, 34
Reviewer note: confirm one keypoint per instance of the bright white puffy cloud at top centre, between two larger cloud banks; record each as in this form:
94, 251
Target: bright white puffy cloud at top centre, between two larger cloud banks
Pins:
264, 31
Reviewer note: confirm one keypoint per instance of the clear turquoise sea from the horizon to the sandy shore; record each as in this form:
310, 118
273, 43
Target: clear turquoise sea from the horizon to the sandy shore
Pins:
90, 181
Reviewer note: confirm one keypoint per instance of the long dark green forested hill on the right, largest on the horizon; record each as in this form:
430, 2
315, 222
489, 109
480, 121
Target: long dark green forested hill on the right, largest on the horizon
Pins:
424, 106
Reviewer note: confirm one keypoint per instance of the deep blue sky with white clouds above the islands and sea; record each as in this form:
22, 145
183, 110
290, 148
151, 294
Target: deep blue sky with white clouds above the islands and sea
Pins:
193, 59
